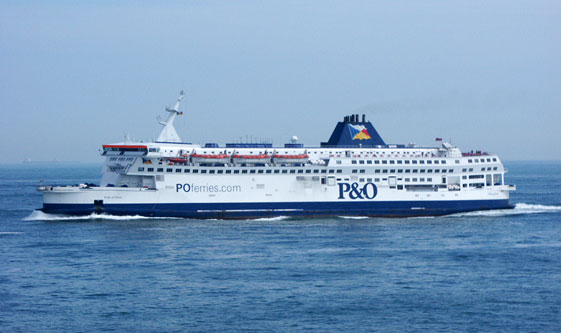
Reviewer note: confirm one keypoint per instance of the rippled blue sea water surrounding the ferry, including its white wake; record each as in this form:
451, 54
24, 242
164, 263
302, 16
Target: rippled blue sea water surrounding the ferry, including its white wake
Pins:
480, 271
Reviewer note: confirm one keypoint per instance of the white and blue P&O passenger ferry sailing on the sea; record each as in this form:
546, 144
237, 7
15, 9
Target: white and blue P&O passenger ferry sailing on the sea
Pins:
354, 173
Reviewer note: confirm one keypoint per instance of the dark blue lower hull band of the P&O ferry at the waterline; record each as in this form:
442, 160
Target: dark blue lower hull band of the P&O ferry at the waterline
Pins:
270, 209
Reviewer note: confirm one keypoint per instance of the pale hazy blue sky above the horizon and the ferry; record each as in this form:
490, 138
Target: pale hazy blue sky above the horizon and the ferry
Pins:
75, 75
